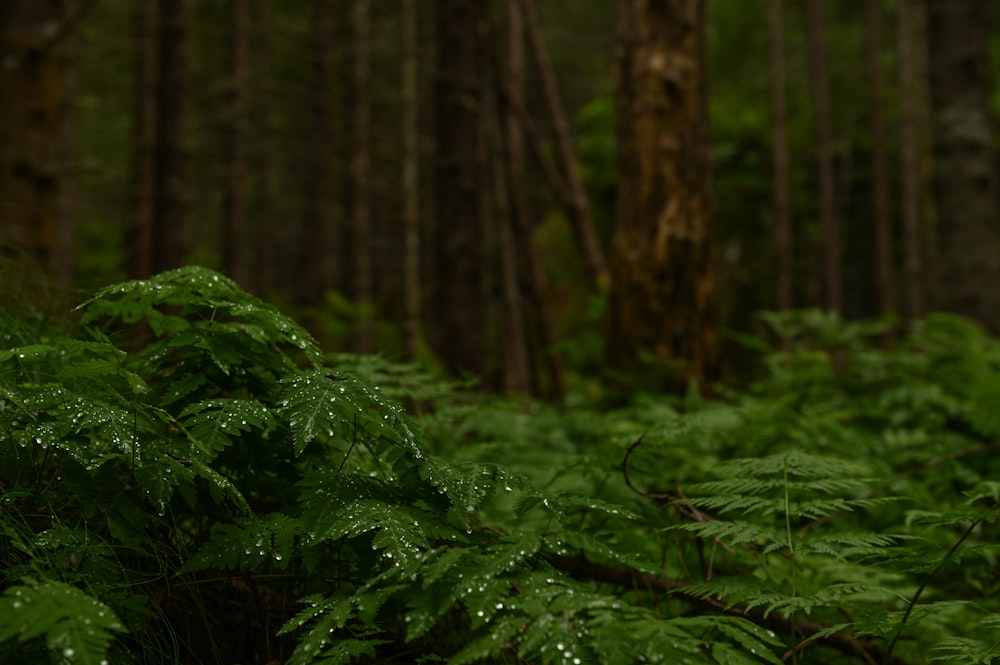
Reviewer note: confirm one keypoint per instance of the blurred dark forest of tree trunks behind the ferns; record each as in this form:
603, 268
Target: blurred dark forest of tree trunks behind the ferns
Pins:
463, 180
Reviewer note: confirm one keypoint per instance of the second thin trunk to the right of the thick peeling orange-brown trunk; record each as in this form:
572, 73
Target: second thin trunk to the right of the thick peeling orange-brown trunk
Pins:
824, 158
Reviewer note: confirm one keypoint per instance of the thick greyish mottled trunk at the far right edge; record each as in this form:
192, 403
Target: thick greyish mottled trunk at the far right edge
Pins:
965, 179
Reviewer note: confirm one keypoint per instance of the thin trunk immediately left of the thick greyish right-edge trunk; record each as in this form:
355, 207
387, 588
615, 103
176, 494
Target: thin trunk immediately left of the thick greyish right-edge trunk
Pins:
910, 157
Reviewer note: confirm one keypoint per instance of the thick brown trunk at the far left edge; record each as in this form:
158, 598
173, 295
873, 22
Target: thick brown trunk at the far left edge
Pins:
33, 117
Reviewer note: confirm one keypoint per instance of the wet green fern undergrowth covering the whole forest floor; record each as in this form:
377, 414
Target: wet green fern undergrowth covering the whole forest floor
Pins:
187, 478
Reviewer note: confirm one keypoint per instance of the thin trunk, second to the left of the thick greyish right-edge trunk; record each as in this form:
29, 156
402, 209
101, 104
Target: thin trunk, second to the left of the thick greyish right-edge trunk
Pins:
884, 268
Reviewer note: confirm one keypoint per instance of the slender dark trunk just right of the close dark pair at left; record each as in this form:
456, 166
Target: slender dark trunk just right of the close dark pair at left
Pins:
237, 237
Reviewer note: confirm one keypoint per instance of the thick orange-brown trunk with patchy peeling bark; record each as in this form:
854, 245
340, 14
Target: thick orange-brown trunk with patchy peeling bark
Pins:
662, 279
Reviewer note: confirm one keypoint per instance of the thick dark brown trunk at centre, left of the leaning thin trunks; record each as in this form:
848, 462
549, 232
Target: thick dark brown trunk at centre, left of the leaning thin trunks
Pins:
457, 299
